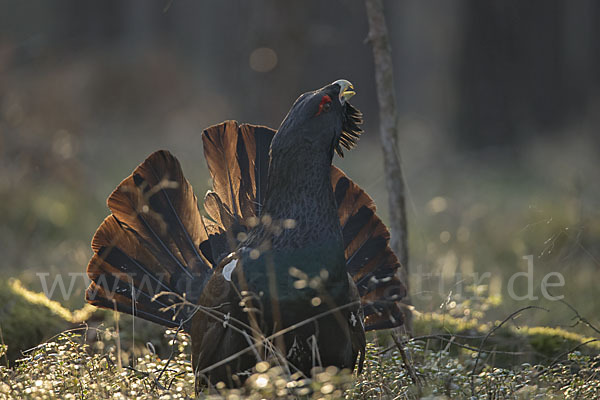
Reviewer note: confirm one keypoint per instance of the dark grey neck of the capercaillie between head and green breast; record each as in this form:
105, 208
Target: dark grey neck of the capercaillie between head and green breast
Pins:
299, 189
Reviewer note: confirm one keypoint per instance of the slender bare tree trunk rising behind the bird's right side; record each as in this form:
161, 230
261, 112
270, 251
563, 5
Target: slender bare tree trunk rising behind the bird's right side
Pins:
388, 120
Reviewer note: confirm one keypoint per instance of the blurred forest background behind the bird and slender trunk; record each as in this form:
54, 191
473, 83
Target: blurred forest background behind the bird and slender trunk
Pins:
499, 107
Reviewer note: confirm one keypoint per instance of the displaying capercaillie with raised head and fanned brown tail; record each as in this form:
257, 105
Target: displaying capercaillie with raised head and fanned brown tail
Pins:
289, 261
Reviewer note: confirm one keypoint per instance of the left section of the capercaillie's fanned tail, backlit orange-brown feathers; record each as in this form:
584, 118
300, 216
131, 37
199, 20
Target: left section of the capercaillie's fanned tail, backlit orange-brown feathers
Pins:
155, 241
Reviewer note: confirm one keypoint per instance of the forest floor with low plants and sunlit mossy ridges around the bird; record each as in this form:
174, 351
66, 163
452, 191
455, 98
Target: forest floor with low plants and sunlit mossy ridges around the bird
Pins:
447, 358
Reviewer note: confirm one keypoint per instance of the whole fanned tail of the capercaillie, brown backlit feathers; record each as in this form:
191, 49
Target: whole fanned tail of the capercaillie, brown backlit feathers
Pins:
157, 241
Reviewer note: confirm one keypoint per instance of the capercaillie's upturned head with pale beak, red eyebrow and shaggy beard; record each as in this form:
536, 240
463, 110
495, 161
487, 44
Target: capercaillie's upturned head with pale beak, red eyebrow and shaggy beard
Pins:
321, 120
